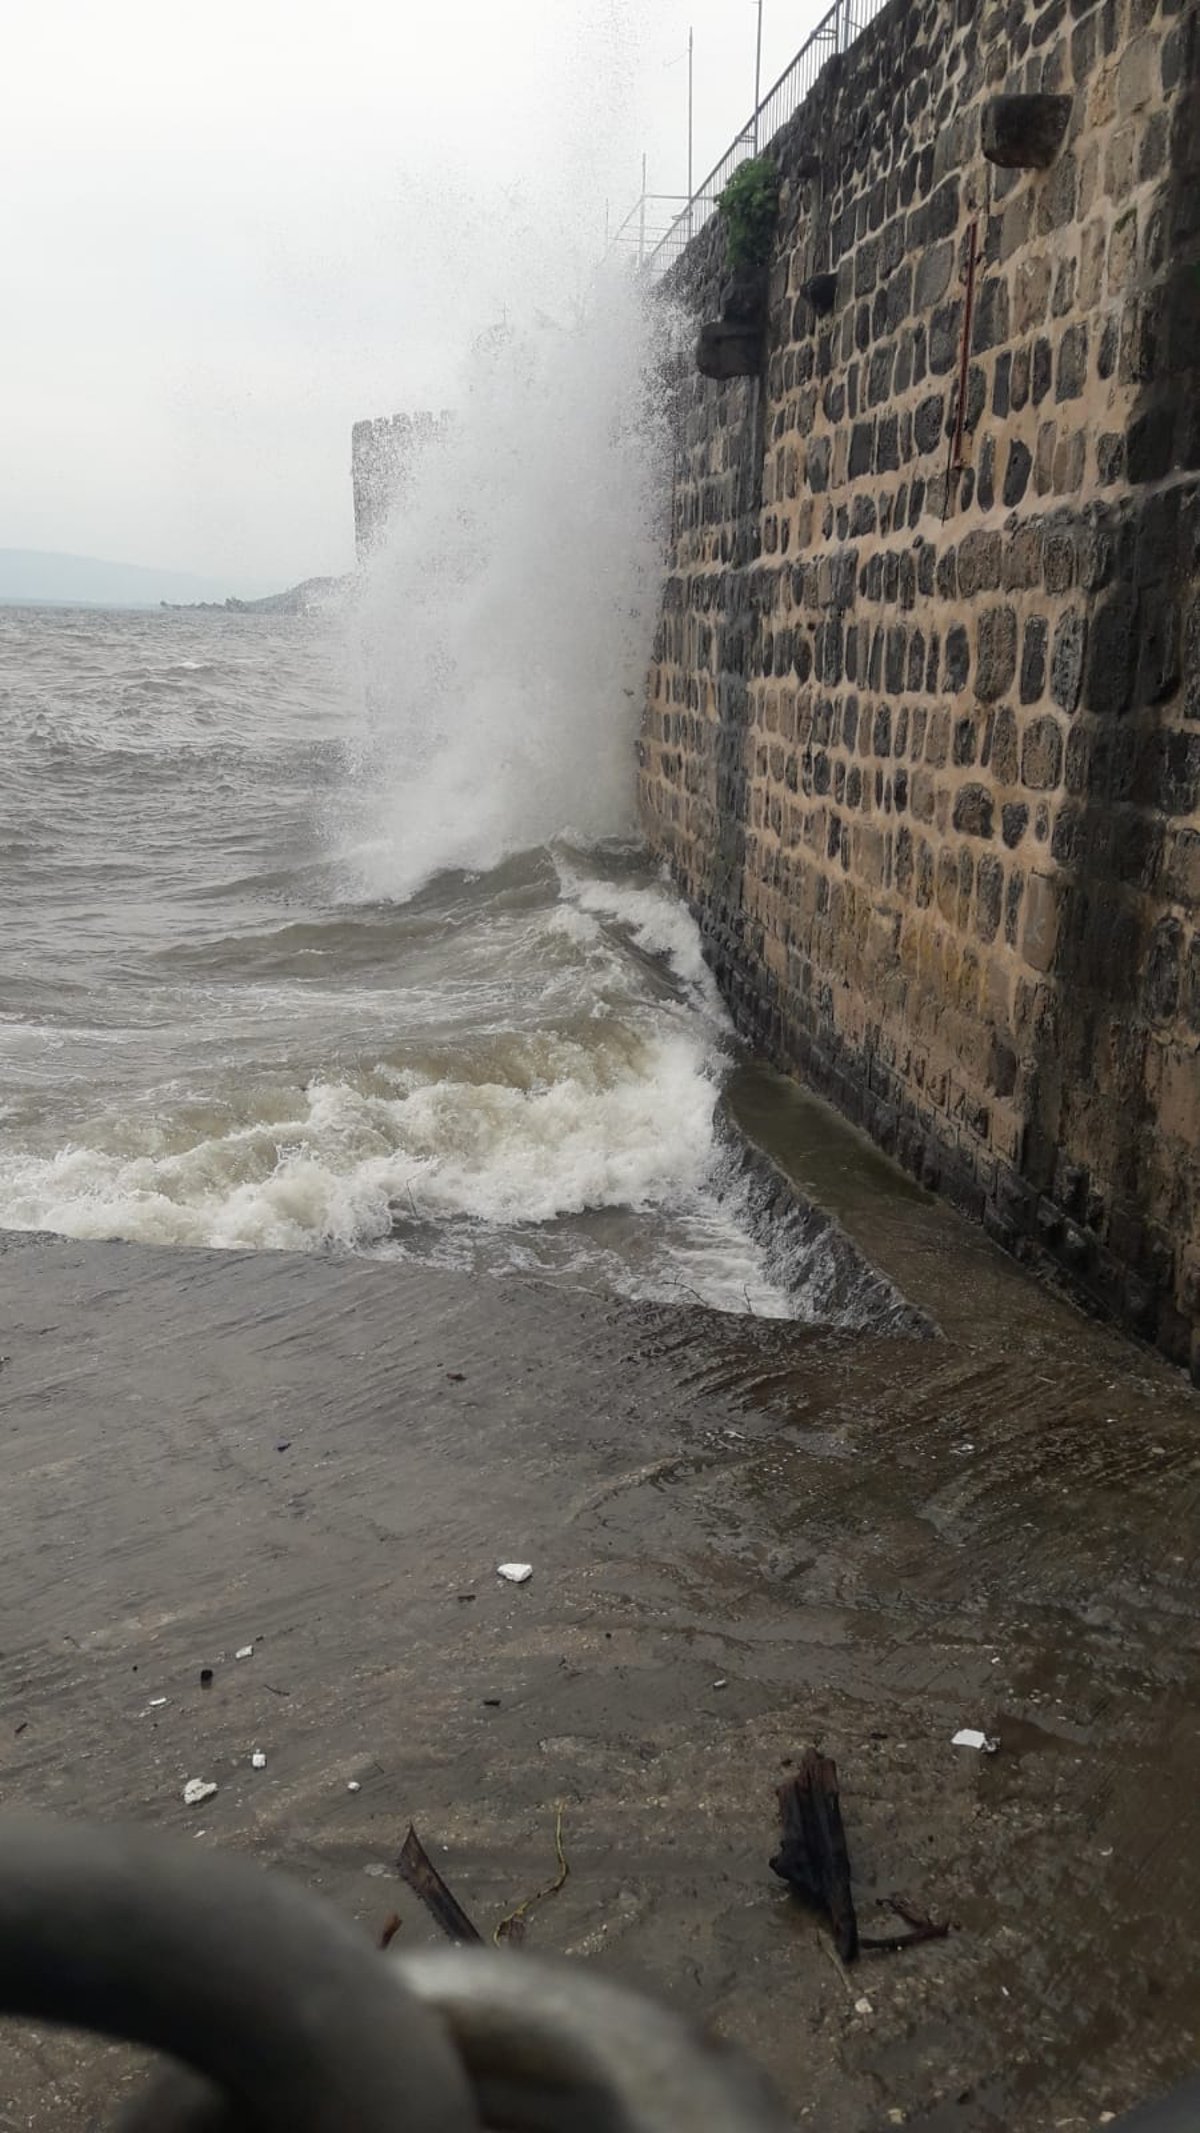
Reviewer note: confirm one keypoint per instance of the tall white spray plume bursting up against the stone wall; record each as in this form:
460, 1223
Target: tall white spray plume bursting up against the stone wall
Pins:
504, 624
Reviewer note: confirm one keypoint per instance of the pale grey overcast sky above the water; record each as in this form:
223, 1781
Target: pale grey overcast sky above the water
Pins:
233, 229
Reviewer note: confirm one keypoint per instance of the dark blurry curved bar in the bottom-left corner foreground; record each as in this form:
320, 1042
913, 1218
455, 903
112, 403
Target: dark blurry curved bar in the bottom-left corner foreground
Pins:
242, 1976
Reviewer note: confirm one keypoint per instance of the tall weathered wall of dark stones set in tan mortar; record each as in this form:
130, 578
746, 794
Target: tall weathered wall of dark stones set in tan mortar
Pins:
924, 745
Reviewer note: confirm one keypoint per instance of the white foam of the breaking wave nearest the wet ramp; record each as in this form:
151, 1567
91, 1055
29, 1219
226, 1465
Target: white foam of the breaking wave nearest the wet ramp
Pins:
615, 1125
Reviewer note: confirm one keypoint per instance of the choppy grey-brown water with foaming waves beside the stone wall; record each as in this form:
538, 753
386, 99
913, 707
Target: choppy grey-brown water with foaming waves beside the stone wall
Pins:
212, 1036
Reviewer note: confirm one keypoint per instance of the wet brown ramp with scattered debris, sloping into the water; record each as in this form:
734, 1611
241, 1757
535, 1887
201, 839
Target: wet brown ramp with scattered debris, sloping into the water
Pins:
747, 1539
